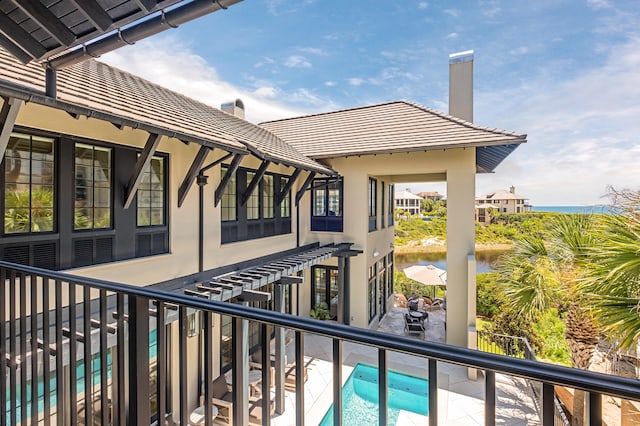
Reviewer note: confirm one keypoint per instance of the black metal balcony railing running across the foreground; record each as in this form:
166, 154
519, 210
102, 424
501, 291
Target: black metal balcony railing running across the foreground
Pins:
97, 354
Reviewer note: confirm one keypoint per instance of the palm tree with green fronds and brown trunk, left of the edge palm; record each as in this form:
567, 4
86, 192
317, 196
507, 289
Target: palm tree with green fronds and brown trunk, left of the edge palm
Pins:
544, 273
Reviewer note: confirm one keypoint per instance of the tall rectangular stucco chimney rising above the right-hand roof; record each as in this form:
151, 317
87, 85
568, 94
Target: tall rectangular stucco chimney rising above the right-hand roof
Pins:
461, 85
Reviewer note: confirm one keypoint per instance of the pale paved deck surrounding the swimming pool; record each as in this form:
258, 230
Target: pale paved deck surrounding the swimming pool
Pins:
460, 400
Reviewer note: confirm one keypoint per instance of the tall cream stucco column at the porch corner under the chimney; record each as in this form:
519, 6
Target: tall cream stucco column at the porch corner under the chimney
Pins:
460, 244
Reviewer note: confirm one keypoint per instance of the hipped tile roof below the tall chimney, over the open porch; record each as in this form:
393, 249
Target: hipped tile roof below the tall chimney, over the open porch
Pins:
399, 126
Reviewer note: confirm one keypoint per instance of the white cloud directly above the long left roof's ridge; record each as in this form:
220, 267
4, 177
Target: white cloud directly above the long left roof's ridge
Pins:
153, 60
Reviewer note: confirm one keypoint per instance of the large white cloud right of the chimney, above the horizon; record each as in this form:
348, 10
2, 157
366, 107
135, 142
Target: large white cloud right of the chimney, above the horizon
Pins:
582, 132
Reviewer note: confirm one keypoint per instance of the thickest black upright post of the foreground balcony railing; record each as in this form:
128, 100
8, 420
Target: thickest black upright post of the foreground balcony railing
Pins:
138, 360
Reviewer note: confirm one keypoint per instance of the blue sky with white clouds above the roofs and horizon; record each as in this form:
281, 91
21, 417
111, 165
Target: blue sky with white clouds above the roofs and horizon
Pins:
564, 72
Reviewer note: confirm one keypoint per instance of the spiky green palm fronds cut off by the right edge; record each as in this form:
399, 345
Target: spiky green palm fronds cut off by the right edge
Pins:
613, 282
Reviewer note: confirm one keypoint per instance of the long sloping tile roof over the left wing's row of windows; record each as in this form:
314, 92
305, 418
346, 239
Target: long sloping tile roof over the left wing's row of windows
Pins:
109, 90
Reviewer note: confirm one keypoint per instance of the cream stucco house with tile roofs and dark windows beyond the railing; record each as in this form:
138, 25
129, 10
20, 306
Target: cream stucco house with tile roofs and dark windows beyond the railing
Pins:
123, 180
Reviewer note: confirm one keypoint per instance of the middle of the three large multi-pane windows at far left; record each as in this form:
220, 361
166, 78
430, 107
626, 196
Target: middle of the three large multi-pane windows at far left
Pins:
92, 173
